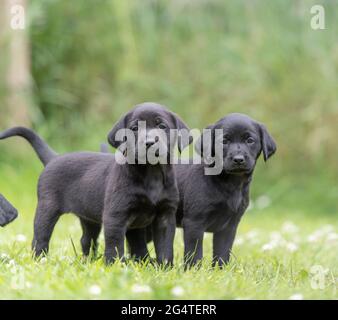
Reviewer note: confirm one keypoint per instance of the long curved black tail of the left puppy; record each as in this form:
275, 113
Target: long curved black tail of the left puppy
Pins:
44, 152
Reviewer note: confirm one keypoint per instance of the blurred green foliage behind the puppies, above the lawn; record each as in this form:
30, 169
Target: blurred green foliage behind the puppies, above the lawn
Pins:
90, 61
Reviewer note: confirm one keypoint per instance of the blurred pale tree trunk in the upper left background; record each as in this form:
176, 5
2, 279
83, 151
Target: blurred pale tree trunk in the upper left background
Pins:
15, 80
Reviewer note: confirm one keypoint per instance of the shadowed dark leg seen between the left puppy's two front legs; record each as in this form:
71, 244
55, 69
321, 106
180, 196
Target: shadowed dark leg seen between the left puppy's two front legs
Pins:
137, 243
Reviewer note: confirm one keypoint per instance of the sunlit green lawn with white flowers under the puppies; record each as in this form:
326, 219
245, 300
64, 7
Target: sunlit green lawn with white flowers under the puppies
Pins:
273, 258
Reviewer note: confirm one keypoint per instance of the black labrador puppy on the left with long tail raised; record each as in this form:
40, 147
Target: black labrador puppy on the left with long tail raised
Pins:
98, 189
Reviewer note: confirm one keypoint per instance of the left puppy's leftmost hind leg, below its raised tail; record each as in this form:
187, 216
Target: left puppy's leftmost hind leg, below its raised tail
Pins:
47, 214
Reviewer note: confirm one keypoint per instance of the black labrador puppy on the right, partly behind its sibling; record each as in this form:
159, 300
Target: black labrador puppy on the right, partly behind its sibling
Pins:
216, 203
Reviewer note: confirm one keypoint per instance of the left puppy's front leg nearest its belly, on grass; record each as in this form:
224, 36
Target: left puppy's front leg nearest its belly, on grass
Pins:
114, 234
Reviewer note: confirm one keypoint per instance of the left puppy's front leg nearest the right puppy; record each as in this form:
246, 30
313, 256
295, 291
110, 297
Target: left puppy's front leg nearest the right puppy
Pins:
163, 227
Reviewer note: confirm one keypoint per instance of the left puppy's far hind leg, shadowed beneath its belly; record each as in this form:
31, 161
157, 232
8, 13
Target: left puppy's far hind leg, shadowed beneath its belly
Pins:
90, 234
